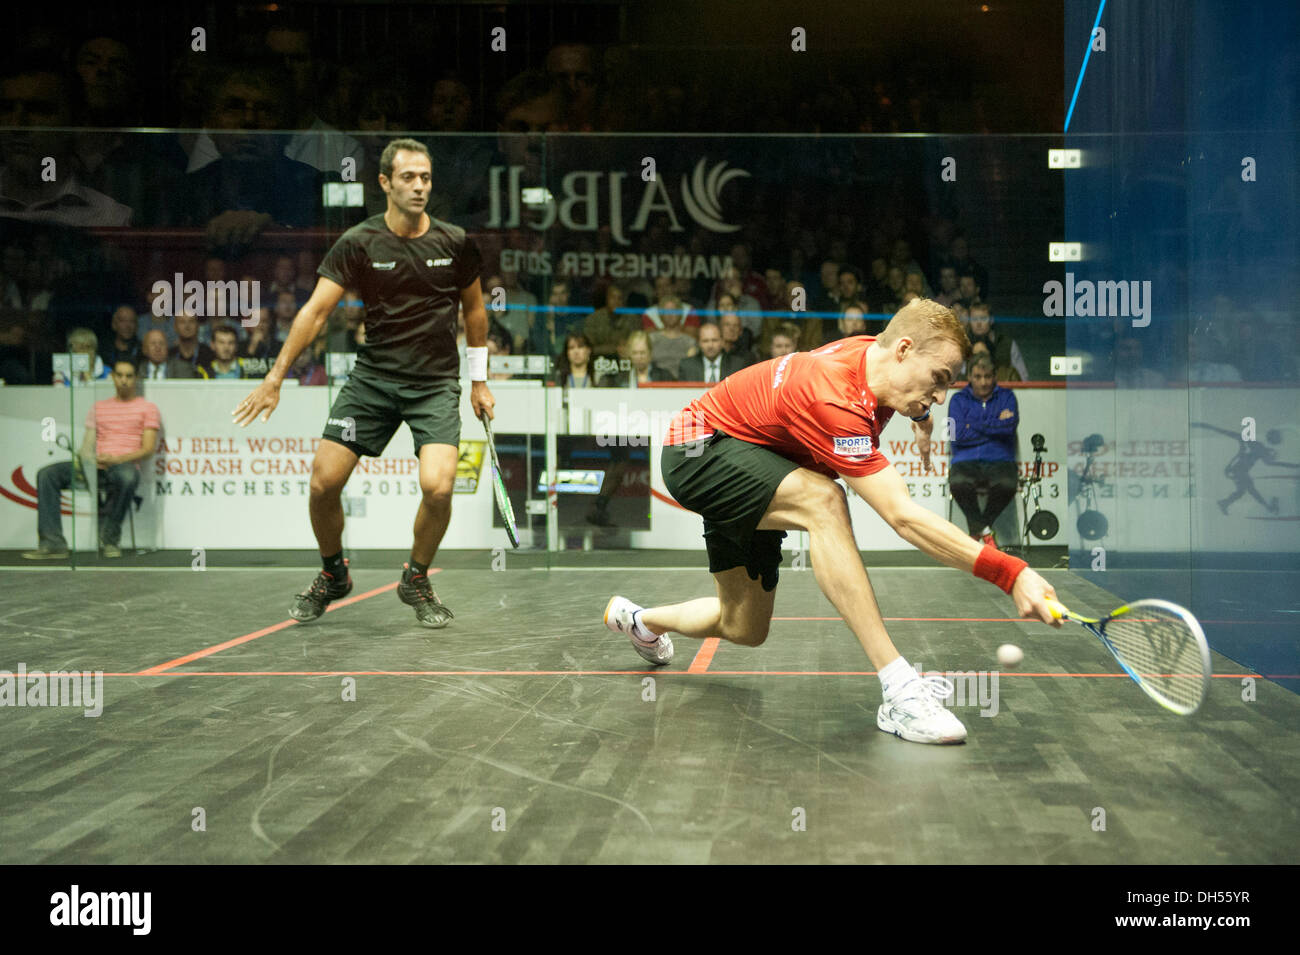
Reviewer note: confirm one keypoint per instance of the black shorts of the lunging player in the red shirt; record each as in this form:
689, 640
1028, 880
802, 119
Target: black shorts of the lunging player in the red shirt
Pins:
731, 483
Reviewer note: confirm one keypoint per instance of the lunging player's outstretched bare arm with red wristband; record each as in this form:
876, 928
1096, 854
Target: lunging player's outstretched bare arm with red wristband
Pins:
946, 542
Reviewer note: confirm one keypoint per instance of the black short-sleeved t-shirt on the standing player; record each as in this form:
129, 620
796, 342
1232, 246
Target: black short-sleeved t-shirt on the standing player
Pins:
411, 289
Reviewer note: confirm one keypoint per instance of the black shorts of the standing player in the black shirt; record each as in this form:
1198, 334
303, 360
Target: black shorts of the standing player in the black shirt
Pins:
369, 411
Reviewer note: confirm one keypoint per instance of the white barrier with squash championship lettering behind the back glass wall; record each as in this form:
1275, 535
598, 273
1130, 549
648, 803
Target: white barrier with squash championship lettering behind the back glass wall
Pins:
215, 485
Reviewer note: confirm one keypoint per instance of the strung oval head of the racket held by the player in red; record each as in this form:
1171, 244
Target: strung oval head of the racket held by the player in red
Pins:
1163, 652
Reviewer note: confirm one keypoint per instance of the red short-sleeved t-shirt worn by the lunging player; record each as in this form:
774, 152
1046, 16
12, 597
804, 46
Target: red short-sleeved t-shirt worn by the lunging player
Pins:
814, 409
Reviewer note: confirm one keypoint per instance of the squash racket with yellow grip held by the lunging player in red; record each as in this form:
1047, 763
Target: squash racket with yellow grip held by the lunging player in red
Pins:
1160, 645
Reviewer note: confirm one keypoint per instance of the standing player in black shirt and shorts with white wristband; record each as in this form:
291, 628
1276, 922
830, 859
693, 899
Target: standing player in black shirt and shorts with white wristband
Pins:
413, 274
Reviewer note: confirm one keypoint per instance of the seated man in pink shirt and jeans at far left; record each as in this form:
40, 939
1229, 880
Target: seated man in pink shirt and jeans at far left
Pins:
123, 431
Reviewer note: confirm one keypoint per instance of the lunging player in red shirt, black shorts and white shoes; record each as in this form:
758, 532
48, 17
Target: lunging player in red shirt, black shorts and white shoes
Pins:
757, 457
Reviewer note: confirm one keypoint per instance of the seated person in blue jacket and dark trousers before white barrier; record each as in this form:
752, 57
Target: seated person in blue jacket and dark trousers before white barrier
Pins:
983, 427
